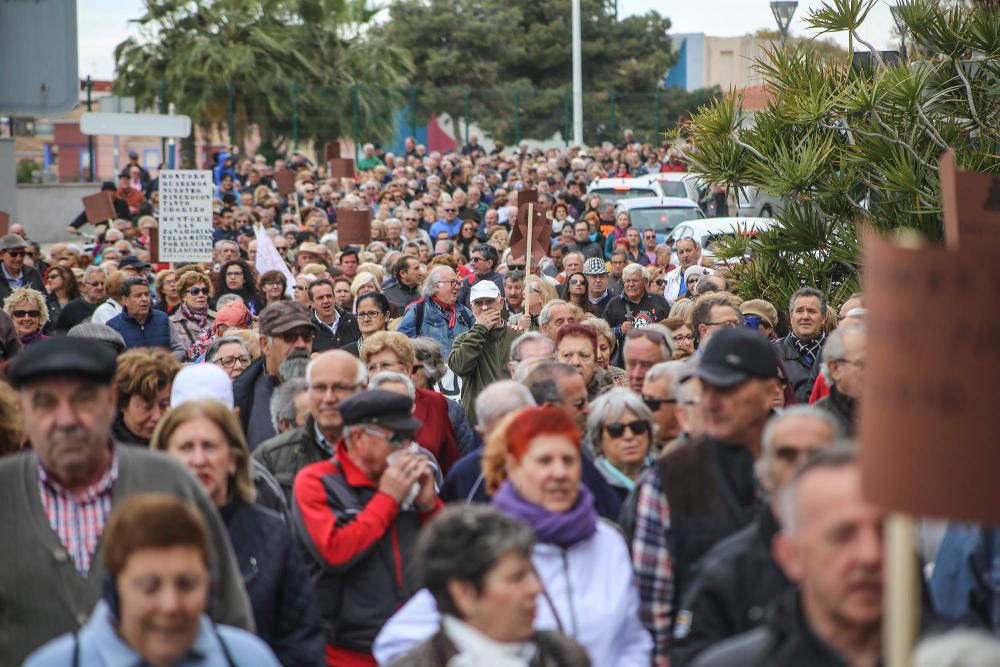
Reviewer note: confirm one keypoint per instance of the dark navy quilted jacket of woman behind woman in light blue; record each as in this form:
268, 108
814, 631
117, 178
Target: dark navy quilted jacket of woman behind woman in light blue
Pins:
274, 573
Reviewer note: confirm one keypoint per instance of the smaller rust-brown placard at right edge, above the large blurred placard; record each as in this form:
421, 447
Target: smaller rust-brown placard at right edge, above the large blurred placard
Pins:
971, 203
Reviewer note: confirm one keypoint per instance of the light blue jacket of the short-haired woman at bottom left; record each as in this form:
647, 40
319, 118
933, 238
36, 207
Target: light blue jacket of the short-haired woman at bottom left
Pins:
99, 645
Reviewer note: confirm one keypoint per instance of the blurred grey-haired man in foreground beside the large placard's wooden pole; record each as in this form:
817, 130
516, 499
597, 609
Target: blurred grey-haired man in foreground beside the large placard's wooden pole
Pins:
831, 547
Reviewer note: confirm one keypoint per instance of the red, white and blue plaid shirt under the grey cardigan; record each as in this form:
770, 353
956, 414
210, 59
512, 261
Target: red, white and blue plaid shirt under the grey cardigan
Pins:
78, 520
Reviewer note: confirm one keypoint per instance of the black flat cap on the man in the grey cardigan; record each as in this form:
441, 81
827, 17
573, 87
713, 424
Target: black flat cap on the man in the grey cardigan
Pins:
63, 355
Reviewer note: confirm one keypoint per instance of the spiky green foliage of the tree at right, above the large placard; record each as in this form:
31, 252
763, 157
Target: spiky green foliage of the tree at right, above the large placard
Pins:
846, 150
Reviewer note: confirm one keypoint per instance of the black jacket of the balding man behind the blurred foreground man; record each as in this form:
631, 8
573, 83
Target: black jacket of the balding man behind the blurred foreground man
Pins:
730, 589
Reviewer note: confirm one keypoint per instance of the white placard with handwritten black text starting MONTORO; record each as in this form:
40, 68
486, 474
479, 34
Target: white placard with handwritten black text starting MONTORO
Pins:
186, 215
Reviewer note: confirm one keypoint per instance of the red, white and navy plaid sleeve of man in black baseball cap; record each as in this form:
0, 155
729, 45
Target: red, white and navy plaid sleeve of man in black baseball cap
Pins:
653, 564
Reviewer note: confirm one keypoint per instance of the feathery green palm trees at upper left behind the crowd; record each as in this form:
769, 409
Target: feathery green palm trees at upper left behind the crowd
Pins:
273, 55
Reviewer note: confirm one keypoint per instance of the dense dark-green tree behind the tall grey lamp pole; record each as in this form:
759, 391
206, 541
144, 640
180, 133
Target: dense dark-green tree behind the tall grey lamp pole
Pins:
509, 65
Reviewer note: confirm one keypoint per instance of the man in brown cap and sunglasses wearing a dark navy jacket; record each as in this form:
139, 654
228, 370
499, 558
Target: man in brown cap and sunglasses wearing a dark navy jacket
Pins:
286, 331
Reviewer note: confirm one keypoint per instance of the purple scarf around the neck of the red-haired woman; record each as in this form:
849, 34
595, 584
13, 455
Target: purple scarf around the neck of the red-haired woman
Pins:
563, 529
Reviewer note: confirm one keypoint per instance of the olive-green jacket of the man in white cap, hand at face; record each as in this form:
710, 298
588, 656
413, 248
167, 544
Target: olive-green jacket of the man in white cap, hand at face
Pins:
479, 356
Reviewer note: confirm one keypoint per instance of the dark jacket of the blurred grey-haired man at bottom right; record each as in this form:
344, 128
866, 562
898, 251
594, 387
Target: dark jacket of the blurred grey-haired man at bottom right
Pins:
785, 640
